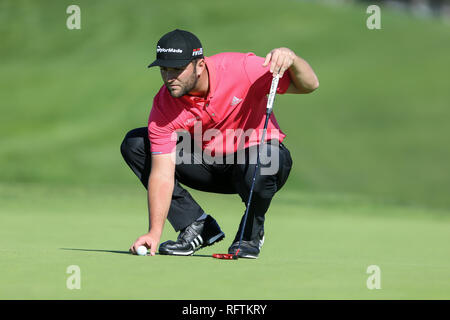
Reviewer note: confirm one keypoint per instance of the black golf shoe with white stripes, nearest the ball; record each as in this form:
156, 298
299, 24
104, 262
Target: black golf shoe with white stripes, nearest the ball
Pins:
197, 235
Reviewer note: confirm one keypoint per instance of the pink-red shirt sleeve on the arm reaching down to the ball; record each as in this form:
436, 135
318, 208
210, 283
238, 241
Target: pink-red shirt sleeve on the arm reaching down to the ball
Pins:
162, 135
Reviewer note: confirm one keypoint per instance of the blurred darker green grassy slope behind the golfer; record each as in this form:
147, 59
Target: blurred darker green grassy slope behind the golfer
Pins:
377, 126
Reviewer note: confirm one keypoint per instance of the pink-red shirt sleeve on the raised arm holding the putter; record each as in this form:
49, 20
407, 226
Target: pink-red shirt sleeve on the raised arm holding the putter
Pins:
260, 75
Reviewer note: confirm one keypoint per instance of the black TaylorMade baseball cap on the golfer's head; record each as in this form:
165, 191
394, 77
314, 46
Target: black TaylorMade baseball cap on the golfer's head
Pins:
176, 49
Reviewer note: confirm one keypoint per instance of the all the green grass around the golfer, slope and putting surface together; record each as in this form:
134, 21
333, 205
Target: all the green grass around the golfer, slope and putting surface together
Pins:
371, 170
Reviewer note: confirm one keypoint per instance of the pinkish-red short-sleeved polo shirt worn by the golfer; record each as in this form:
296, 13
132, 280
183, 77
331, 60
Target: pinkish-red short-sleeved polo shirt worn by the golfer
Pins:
226, 119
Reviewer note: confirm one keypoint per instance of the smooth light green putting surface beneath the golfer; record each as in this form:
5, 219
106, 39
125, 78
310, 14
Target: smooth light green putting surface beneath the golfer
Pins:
317, 247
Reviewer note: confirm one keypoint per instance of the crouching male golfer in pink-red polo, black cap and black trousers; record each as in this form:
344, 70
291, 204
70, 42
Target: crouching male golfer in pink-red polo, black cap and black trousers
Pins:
210, 113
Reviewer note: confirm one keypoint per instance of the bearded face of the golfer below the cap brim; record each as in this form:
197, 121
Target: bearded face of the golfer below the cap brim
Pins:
180, 81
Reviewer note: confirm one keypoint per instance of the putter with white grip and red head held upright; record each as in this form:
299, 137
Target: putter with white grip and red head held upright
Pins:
273, 91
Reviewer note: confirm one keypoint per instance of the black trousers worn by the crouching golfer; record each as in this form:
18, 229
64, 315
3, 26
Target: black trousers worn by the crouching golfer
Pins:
218, 178
